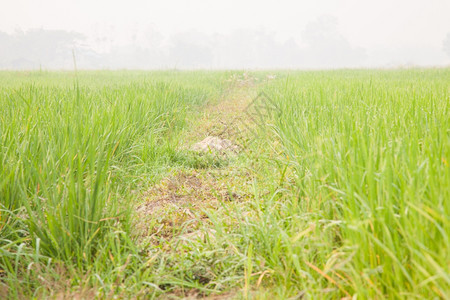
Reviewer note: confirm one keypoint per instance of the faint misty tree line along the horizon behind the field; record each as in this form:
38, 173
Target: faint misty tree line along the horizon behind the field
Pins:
322, 47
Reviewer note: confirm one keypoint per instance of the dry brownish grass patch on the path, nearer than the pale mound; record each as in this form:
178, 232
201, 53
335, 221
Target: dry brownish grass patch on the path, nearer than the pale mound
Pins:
181, 199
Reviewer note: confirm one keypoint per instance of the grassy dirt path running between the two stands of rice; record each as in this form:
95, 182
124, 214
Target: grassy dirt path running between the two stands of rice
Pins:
177, 218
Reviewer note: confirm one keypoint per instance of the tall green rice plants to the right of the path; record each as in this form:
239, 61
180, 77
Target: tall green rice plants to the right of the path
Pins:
369, 153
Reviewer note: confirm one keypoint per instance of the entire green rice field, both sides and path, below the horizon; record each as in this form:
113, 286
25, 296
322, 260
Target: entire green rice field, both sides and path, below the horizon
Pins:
341, 192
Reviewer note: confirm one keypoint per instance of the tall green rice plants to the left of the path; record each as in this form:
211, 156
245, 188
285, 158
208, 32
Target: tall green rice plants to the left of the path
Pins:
69, 156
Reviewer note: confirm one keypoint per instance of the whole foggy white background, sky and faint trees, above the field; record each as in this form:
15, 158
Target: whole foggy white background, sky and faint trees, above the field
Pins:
178, 34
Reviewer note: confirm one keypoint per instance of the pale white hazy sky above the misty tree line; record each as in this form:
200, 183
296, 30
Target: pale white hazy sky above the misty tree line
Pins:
383, 27
